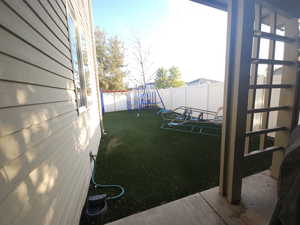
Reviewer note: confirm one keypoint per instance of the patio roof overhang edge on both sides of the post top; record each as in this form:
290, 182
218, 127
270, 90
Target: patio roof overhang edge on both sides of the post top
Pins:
290, 6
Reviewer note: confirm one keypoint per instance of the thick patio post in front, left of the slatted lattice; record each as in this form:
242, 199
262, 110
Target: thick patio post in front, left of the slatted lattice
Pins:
238, 62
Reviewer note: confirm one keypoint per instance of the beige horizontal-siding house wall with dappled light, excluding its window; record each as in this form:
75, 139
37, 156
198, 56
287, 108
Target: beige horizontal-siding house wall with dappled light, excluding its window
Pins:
44, 141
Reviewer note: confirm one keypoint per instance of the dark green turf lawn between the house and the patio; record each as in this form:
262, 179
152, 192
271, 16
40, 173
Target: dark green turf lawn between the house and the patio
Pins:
156, 166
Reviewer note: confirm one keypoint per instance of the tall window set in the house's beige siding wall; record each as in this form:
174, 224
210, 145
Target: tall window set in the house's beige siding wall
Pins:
78, 67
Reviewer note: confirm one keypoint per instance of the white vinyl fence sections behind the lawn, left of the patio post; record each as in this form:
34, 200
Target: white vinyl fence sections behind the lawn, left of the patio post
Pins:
206, 96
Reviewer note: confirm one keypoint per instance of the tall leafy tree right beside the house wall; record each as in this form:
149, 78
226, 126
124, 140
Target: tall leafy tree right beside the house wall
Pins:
110, 59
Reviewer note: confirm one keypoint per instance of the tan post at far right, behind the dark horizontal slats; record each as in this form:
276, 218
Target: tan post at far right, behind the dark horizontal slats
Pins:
289, 96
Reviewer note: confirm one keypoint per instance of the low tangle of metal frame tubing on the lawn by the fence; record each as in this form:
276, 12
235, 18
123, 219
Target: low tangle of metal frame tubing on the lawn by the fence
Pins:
193, 120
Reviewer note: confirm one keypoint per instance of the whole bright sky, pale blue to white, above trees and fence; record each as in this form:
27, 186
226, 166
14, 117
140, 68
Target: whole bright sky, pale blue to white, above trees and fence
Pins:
177, 32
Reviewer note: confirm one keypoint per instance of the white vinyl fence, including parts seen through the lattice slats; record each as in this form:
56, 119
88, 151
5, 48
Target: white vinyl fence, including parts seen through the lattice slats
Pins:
206, 96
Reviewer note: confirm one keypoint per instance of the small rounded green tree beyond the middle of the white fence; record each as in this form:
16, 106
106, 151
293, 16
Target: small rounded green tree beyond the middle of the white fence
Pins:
168, 78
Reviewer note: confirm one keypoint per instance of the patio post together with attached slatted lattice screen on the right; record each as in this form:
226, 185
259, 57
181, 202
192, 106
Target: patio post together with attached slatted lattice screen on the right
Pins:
262, 57
